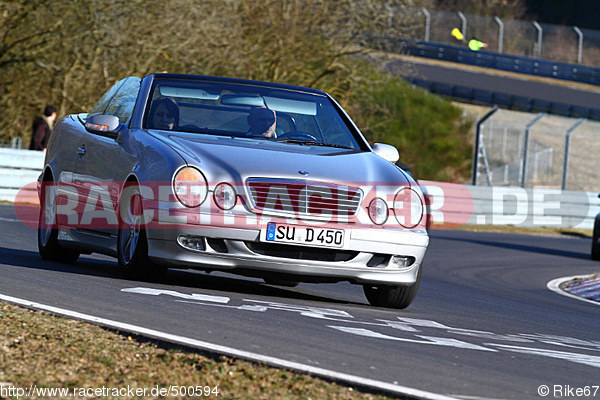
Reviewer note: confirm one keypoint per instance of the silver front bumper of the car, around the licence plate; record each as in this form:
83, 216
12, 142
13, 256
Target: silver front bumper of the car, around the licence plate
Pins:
235, 253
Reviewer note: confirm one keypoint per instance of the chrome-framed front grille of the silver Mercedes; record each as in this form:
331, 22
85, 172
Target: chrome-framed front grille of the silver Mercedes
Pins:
304, 197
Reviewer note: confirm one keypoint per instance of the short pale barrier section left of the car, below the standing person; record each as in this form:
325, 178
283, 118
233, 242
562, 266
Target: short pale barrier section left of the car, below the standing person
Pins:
17, 169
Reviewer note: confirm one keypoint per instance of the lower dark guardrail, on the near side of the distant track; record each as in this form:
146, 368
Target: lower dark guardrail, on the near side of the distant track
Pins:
512, 102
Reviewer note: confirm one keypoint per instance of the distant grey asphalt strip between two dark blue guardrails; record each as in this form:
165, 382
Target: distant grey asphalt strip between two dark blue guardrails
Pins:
495, 81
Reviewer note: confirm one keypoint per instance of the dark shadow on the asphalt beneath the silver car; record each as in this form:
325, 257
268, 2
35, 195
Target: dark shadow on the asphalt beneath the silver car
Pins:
174, 278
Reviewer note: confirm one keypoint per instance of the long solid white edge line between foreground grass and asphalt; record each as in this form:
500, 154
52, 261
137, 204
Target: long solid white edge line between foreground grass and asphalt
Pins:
189, 342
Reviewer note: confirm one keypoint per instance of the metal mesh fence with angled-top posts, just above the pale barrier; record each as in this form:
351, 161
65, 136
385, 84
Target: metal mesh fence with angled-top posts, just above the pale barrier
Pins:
537, 150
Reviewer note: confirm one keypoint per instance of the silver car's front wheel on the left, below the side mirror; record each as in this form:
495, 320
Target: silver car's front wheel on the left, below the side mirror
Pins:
132, 244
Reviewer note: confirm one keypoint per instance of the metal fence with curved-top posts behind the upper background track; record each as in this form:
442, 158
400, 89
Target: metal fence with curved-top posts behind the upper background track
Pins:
568, 44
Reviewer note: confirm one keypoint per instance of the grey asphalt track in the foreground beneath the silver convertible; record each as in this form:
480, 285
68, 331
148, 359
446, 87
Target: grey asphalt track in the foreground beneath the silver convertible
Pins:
483, 326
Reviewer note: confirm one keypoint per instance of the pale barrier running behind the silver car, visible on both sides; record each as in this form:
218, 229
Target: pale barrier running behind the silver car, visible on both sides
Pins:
450, 204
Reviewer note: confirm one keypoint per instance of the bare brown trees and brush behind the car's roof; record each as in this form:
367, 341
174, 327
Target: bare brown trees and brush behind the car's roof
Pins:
68, 53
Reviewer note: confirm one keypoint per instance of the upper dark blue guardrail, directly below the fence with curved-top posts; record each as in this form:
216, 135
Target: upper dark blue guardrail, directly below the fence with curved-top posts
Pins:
505, 62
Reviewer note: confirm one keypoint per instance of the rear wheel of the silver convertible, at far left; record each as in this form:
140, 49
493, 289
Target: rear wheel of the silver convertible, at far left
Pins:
48, 245
